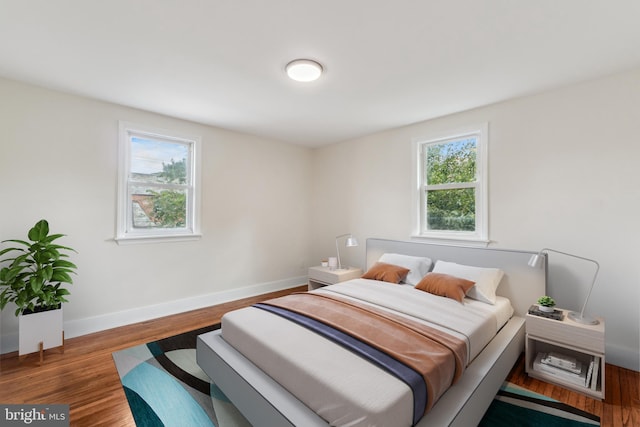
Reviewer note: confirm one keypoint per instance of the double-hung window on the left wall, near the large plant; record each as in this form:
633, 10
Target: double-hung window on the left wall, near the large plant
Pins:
158, 185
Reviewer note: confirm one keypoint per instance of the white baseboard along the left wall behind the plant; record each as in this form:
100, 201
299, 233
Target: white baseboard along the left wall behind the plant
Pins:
88, 325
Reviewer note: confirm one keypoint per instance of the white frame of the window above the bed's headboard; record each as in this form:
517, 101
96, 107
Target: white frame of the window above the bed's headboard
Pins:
479, 237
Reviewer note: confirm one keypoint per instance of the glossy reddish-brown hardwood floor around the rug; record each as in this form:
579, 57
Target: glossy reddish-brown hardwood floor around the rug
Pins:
85, 377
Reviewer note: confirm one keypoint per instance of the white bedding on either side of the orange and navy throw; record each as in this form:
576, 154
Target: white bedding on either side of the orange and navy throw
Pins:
339, 386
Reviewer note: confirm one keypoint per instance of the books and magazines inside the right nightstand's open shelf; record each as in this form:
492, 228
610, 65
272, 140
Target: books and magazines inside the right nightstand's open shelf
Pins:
568, 369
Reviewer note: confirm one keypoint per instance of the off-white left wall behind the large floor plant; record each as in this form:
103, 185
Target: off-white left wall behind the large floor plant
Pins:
58, 160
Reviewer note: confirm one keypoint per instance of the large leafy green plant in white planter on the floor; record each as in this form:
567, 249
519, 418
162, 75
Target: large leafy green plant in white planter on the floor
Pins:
32, 277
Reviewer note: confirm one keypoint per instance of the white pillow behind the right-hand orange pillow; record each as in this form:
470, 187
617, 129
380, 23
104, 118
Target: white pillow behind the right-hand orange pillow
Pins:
487, 279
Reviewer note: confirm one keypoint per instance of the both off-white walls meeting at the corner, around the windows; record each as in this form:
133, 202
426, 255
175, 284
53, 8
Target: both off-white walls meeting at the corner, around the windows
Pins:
562, 175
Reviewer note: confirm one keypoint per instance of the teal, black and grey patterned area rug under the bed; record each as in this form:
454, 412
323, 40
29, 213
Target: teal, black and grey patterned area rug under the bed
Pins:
165, 387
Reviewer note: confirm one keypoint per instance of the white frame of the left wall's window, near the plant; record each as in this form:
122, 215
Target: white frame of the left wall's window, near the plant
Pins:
125, 232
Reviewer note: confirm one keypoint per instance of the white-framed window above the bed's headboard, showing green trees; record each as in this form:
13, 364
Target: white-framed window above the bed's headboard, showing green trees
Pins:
451, 196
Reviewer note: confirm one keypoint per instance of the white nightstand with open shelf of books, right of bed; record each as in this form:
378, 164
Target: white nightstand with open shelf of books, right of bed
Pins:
572, 341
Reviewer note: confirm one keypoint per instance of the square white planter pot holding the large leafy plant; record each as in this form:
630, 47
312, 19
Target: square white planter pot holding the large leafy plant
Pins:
35, 328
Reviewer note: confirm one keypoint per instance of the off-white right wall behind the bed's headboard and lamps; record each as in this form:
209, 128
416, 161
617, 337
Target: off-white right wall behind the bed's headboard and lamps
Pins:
563, 173
